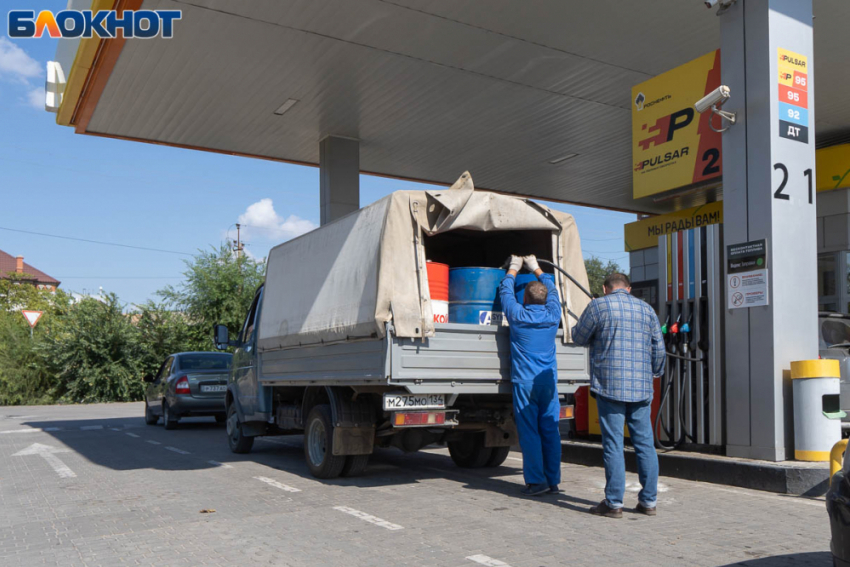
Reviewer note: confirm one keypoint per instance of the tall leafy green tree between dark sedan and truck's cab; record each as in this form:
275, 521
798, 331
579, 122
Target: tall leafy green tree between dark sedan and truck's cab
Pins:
218, 288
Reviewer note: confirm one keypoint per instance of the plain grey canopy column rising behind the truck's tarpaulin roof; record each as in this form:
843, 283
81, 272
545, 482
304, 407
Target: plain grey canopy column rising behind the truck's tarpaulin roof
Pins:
339, 177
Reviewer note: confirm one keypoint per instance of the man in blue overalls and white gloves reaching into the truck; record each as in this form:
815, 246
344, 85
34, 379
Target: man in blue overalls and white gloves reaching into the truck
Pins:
534, 374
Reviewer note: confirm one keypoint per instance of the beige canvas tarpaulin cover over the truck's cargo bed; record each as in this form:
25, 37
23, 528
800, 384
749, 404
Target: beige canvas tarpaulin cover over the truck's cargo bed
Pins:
347, 279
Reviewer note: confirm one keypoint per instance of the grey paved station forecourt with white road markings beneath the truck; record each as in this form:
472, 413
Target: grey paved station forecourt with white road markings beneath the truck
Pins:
93, 485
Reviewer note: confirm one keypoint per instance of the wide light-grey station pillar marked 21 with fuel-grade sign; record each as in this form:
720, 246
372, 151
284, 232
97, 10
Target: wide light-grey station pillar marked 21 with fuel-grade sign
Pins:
768, 194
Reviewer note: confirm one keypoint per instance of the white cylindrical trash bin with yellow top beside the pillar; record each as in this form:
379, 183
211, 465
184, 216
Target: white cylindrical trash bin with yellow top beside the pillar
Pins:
817, 409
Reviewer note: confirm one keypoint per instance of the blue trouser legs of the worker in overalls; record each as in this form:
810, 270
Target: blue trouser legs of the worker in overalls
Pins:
536, 412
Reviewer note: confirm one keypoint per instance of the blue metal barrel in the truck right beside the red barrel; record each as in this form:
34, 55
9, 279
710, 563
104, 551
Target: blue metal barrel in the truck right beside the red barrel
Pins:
474, 295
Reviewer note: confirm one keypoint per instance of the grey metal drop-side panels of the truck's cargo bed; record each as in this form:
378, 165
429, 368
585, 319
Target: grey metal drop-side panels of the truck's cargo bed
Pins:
459, 359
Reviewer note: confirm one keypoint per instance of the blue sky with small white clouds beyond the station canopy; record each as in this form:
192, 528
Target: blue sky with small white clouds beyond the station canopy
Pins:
57, 182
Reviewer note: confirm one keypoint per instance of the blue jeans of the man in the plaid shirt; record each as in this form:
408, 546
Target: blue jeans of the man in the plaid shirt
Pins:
612, 417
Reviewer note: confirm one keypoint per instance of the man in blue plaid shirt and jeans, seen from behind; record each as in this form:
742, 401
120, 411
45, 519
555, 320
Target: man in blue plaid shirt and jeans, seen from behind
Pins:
626, 352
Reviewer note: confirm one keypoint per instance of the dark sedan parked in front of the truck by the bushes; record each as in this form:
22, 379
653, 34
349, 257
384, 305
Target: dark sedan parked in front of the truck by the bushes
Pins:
187, 384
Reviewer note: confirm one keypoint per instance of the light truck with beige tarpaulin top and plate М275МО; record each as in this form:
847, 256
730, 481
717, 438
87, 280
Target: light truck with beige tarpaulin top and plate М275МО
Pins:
340, 345
